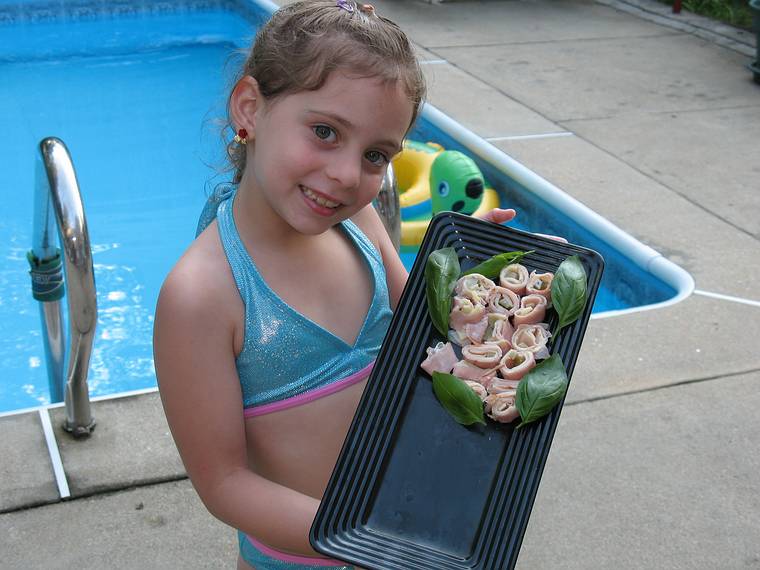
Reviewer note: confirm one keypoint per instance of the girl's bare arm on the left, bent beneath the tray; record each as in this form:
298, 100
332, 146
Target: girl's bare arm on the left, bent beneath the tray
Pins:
200, 392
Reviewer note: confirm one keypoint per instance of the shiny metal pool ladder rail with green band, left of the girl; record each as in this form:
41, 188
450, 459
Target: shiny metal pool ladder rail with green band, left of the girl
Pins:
58, 210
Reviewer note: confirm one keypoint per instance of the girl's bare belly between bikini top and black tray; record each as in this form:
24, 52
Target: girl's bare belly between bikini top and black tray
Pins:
298, 447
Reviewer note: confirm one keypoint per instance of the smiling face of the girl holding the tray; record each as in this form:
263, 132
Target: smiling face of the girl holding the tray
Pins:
318, 157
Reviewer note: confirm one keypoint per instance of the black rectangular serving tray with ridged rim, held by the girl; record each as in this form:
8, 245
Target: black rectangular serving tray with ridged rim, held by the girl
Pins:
413, 489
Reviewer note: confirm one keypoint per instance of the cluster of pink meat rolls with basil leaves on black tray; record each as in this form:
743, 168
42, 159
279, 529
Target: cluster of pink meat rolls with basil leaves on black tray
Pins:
503, 335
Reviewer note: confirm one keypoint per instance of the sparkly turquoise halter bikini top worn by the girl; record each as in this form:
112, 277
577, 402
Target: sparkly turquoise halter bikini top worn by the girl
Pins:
285, 354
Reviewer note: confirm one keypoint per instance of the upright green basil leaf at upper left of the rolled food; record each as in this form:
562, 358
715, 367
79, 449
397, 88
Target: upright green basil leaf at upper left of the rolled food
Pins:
441, 273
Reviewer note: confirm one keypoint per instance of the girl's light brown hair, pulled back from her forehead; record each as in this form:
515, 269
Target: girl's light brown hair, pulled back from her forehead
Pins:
298, 48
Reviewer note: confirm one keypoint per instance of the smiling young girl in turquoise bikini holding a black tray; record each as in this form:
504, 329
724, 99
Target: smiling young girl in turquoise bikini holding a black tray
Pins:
267, 327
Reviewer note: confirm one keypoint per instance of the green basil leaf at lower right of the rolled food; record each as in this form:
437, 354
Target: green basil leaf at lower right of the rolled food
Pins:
541, 389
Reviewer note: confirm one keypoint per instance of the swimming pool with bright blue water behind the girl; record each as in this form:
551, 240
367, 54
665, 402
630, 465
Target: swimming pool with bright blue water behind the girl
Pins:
133, 89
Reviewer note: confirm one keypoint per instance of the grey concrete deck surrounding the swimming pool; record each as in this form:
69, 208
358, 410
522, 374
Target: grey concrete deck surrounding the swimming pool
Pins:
651, 120
